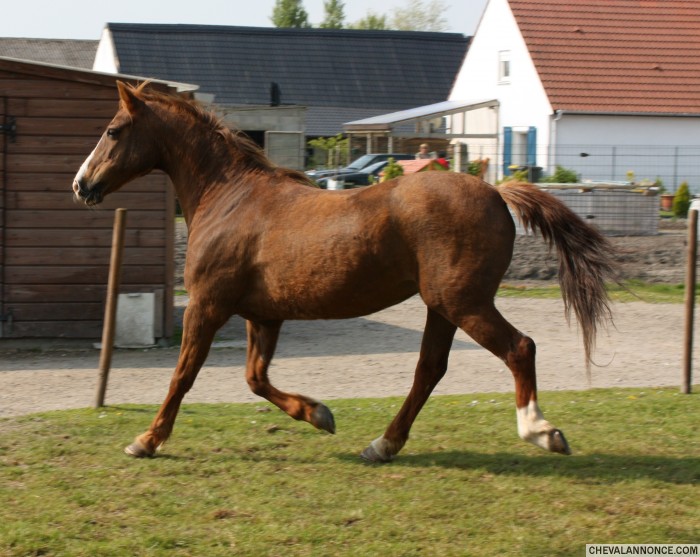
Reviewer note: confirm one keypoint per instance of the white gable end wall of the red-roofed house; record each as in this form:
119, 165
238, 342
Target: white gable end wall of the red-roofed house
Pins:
523, 102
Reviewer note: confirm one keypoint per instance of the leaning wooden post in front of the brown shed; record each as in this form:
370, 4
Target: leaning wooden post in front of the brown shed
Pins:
115, 265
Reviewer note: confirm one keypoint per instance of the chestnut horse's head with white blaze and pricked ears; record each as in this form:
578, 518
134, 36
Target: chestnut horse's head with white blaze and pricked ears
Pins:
125, 151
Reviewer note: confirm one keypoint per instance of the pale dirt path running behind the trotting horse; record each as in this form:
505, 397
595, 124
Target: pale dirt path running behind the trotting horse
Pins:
367, 357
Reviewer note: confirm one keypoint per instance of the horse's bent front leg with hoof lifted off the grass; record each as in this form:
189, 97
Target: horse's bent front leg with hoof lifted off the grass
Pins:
262, 341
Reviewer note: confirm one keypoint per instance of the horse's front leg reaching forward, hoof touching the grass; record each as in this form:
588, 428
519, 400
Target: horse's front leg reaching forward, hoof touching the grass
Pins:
199, 328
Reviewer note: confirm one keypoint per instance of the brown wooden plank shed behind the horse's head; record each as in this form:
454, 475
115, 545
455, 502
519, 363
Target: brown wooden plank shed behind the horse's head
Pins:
55, 253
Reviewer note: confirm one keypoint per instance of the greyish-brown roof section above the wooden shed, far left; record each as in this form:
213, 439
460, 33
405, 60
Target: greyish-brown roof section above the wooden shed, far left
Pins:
74, 54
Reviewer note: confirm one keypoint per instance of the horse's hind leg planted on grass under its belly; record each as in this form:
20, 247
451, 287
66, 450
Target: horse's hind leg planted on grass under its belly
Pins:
432, 364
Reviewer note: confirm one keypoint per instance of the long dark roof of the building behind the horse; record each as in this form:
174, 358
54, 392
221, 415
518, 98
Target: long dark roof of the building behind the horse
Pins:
337, 70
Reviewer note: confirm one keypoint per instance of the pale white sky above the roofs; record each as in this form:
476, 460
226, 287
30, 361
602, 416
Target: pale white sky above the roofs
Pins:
85, 19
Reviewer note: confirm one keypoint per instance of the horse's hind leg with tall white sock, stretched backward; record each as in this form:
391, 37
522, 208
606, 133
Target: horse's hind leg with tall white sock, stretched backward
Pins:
488, 327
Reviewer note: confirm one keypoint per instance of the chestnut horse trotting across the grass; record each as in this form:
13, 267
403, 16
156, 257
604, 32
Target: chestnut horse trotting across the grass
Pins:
266, 245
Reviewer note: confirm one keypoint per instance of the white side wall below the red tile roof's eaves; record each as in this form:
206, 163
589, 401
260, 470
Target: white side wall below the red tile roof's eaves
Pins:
607, 147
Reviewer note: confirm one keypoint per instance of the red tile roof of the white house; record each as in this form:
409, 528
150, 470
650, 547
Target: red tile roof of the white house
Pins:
635, 56
